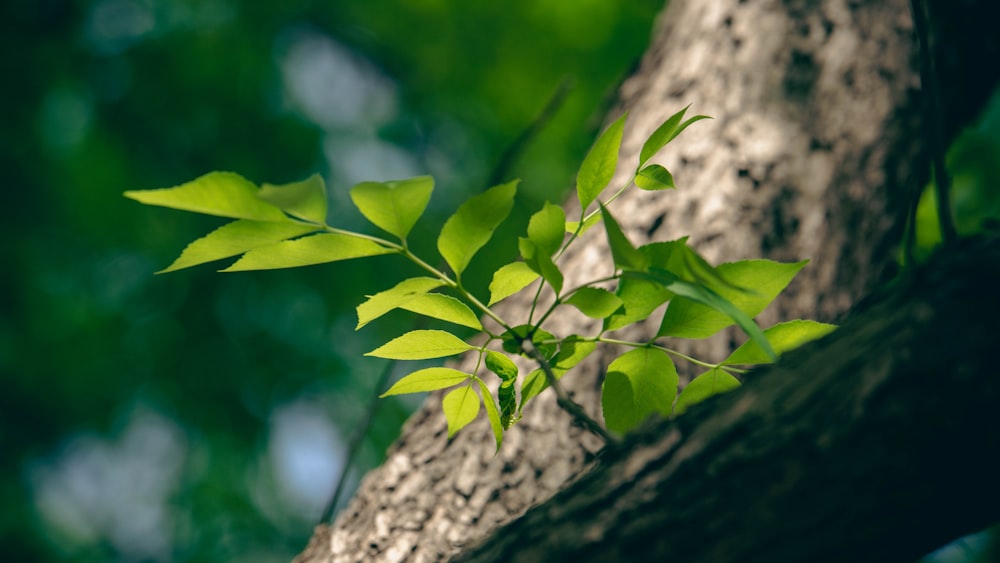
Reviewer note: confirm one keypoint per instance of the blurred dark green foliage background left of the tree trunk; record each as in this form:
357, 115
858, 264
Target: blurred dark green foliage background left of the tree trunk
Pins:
199, 416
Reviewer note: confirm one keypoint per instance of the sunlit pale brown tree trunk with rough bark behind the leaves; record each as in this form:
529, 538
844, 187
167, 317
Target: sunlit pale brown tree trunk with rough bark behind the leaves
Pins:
806, 158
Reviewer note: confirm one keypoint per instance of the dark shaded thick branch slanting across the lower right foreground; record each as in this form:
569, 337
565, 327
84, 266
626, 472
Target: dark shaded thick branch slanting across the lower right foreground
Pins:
879, 443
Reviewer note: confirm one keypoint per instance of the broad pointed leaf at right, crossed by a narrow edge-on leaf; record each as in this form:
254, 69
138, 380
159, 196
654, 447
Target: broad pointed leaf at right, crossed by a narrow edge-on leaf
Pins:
763, 280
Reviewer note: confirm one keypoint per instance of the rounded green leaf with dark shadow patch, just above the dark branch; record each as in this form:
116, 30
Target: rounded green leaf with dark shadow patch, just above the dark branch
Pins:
639, 383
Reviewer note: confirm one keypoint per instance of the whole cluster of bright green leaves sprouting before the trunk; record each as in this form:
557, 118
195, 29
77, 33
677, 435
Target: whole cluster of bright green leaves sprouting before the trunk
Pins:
284, 226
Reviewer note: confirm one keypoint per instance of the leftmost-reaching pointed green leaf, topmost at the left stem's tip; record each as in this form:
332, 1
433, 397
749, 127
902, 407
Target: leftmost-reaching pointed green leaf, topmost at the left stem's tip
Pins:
217, 193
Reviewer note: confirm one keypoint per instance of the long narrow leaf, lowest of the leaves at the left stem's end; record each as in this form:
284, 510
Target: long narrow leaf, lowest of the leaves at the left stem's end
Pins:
305, 251
